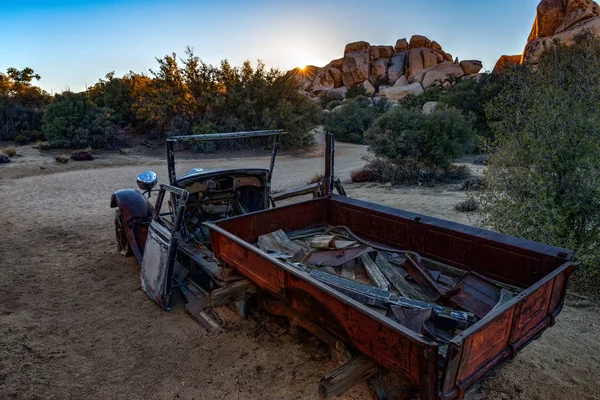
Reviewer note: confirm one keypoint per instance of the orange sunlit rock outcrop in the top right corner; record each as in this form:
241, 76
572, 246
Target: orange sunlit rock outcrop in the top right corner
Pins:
556, 21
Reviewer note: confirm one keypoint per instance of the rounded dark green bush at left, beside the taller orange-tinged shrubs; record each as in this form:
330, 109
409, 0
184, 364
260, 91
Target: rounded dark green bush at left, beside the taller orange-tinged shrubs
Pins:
73, 120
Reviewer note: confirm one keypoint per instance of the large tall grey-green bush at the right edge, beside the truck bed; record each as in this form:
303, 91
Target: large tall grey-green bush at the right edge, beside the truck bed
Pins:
544, 173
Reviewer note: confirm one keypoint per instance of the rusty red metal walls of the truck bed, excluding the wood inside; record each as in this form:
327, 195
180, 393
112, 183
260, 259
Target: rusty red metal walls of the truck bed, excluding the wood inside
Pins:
541, 270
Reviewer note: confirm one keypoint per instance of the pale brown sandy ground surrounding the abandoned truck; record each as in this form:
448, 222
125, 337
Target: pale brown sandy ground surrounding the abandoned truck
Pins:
74, 323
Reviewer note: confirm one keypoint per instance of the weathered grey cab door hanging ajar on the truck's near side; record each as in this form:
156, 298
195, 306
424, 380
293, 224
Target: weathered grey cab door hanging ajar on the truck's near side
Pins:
162, 244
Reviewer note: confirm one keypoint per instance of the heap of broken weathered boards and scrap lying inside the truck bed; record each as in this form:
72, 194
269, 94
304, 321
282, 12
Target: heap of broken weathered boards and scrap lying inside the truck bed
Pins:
425, 296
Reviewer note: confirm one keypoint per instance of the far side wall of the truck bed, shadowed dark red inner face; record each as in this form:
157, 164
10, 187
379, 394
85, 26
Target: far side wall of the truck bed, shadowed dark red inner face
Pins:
505, 258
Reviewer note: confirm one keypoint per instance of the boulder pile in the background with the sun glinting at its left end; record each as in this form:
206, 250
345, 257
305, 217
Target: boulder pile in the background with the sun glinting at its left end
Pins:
390, 71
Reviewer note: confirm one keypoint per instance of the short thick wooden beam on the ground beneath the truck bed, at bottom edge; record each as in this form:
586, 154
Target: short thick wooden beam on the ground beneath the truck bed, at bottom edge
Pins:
355, 371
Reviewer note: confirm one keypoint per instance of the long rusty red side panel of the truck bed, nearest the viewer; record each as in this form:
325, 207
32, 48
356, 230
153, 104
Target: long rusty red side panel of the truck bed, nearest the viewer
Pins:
386, 342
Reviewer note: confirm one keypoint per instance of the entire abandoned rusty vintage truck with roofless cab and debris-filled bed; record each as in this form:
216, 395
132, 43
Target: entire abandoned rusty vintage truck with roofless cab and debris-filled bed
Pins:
438, 303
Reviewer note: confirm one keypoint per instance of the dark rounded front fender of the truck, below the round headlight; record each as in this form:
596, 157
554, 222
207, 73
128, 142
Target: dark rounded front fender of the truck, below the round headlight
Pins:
136, 212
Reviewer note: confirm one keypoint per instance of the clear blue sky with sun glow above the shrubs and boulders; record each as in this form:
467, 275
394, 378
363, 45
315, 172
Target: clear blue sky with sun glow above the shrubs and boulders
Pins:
73, 43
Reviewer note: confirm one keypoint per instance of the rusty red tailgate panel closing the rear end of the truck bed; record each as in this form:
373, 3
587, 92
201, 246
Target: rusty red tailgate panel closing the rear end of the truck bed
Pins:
498, 338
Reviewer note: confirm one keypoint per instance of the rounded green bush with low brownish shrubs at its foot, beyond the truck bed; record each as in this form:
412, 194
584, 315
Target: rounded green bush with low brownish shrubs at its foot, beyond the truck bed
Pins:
433, 140
